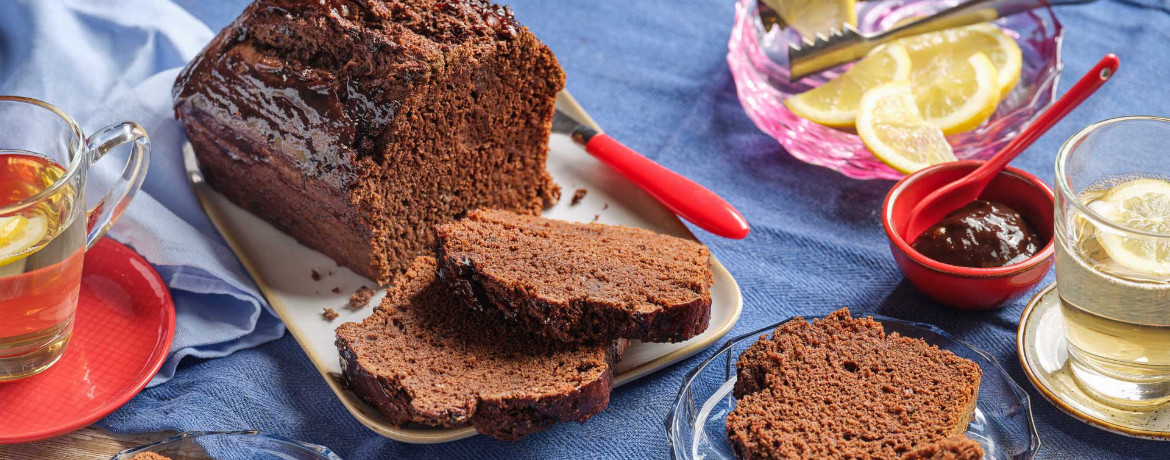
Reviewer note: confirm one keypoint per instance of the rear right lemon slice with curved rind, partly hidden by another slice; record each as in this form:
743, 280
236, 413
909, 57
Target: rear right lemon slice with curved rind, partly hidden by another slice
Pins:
962, 43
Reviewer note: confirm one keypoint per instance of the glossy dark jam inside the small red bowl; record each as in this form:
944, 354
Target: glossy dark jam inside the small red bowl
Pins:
982, 235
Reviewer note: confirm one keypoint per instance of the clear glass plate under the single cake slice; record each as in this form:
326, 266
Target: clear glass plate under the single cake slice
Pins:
1003, 417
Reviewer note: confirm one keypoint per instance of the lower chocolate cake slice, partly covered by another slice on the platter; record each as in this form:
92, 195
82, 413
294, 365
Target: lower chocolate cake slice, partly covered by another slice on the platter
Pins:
422, 359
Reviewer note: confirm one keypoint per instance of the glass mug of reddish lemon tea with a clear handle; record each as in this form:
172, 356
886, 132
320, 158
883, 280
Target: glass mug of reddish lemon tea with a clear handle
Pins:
46, 228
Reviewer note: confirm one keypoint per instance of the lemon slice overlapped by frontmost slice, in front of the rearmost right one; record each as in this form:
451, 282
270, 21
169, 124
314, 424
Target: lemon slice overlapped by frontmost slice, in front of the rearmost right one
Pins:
956, 94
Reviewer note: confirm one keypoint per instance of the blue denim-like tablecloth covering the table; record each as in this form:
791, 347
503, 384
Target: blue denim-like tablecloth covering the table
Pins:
653, 74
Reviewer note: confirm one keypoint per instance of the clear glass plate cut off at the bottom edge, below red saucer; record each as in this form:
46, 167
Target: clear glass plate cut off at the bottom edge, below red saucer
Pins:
225, 445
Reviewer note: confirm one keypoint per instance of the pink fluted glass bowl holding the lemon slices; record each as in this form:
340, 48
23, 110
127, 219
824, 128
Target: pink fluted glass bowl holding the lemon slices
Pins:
758, 61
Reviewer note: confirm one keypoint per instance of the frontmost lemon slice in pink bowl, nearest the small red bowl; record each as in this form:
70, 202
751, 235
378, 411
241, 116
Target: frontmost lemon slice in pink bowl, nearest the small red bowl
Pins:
891, 126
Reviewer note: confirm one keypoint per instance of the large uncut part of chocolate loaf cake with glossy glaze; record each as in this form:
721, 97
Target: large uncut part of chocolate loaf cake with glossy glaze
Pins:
357, 126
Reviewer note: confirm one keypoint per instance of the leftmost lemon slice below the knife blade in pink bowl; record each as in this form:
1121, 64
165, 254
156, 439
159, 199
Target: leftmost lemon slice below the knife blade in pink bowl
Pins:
836, 104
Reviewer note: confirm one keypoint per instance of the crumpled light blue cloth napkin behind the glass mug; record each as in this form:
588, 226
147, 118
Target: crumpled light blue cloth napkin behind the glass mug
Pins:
108, 61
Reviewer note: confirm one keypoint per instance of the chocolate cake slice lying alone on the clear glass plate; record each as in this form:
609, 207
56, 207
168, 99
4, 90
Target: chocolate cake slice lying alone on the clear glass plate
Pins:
843, 389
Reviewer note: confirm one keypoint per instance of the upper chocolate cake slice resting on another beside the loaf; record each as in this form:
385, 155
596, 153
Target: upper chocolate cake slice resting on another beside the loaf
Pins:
579, 283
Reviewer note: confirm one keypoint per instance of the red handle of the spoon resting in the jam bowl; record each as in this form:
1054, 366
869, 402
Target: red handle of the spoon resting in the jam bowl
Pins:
1084, 88
